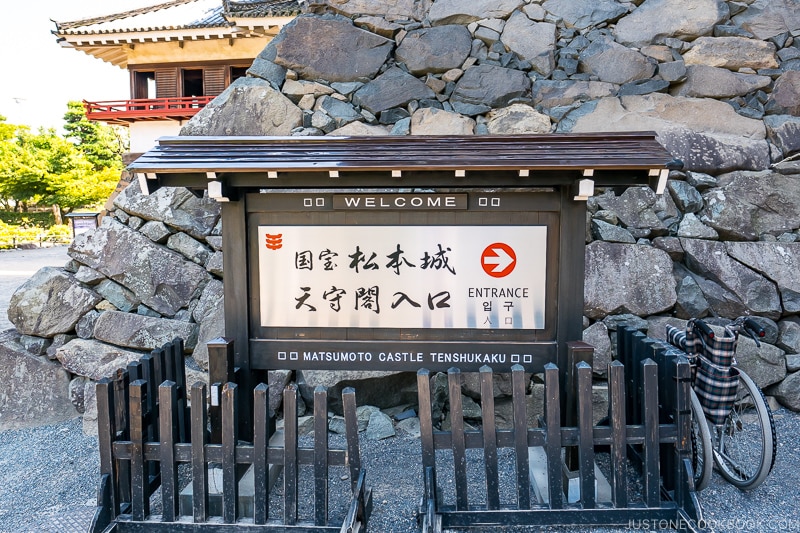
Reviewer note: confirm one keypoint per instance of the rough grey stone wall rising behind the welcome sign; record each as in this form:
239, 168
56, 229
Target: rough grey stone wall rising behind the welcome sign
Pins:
719, 82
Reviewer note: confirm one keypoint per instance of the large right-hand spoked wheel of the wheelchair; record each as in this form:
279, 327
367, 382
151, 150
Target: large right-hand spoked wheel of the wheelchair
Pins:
745, 445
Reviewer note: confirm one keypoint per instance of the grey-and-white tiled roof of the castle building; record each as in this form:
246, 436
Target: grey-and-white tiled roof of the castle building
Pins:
179, 15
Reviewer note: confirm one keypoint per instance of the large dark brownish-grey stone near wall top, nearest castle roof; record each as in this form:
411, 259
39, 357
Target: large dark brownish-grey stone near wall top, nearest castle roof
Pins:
330, 48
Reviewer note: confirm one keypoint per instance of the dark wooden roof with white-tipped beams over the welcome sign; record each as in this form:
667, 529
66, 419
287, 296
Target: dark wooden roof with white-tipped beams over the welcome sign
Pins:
631, 158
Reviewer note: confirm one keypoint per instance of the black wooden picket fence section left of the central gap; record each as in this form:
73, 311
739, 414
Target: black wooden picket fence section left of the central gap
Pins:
147, 432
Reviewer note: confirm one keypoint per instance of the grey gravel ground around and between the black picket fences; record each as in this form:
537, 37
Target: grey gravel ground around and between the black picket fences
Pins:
48, 479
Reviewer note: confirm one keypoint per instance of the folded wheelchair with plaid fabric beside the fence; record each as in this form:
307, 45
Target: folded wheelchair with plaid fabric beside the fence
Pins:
732, 425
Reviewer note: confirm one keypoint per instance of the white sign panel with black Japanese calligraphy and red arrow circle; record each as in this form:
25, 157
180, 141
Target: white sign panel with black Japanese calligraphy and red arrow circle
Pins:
473, 277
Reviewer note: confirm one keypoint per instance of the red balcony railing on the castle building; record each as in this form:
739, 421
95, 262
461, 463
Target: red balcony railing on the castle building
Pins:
127, 111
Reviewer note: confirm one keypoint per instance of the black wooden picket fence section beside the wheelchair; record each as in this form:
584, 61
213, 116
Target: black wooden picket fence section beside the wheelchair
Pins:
648, 426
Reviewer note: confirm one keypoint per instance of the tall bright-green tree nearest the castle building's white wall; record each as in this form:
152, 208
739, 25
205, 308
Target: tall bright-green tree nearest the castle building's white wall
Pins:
102, 145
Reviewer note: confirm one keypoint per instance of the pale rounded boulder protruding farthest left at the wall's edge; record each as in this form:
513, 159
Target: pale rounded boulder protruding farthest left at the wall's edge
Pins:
49, 303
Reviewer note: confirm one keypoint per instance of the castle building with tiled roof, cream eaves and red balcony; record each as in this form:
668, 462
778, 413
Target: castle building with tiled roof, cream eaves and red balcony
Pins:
180, 54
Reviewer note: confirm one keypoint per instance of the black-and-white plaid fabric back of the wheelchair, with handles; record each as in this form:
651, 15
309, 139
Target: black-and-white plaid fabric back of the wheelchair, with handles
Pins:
715, 379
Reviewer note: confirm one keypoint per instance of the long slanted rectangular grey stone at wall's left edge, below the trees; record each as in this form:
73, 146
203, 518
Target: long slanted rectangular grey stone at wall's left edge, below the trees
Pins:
163, 280
